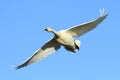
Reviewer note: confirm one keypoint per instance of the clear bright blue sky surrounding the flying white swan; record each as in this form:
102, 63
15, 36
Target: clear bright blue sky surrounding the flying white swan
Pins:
22, 24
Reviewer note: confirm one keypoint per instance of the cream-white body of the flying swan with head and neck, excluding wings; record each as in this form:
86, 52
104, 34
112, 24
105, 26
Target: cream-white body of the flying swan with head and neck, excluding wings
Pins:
65, 39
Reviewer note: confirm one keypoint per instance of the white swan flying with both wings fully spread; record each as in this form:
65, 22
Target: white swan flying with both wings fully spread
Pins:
64, 38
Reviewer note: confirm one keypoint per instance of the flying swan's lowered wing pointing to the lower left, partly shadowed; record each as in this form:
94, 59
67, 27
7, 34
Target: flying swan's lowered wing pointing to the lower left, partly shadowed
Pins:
45, 51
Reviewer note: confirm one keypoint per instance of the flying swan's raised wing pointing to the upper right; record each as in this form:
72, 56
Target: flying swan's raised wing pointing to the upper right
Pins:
81, 29
